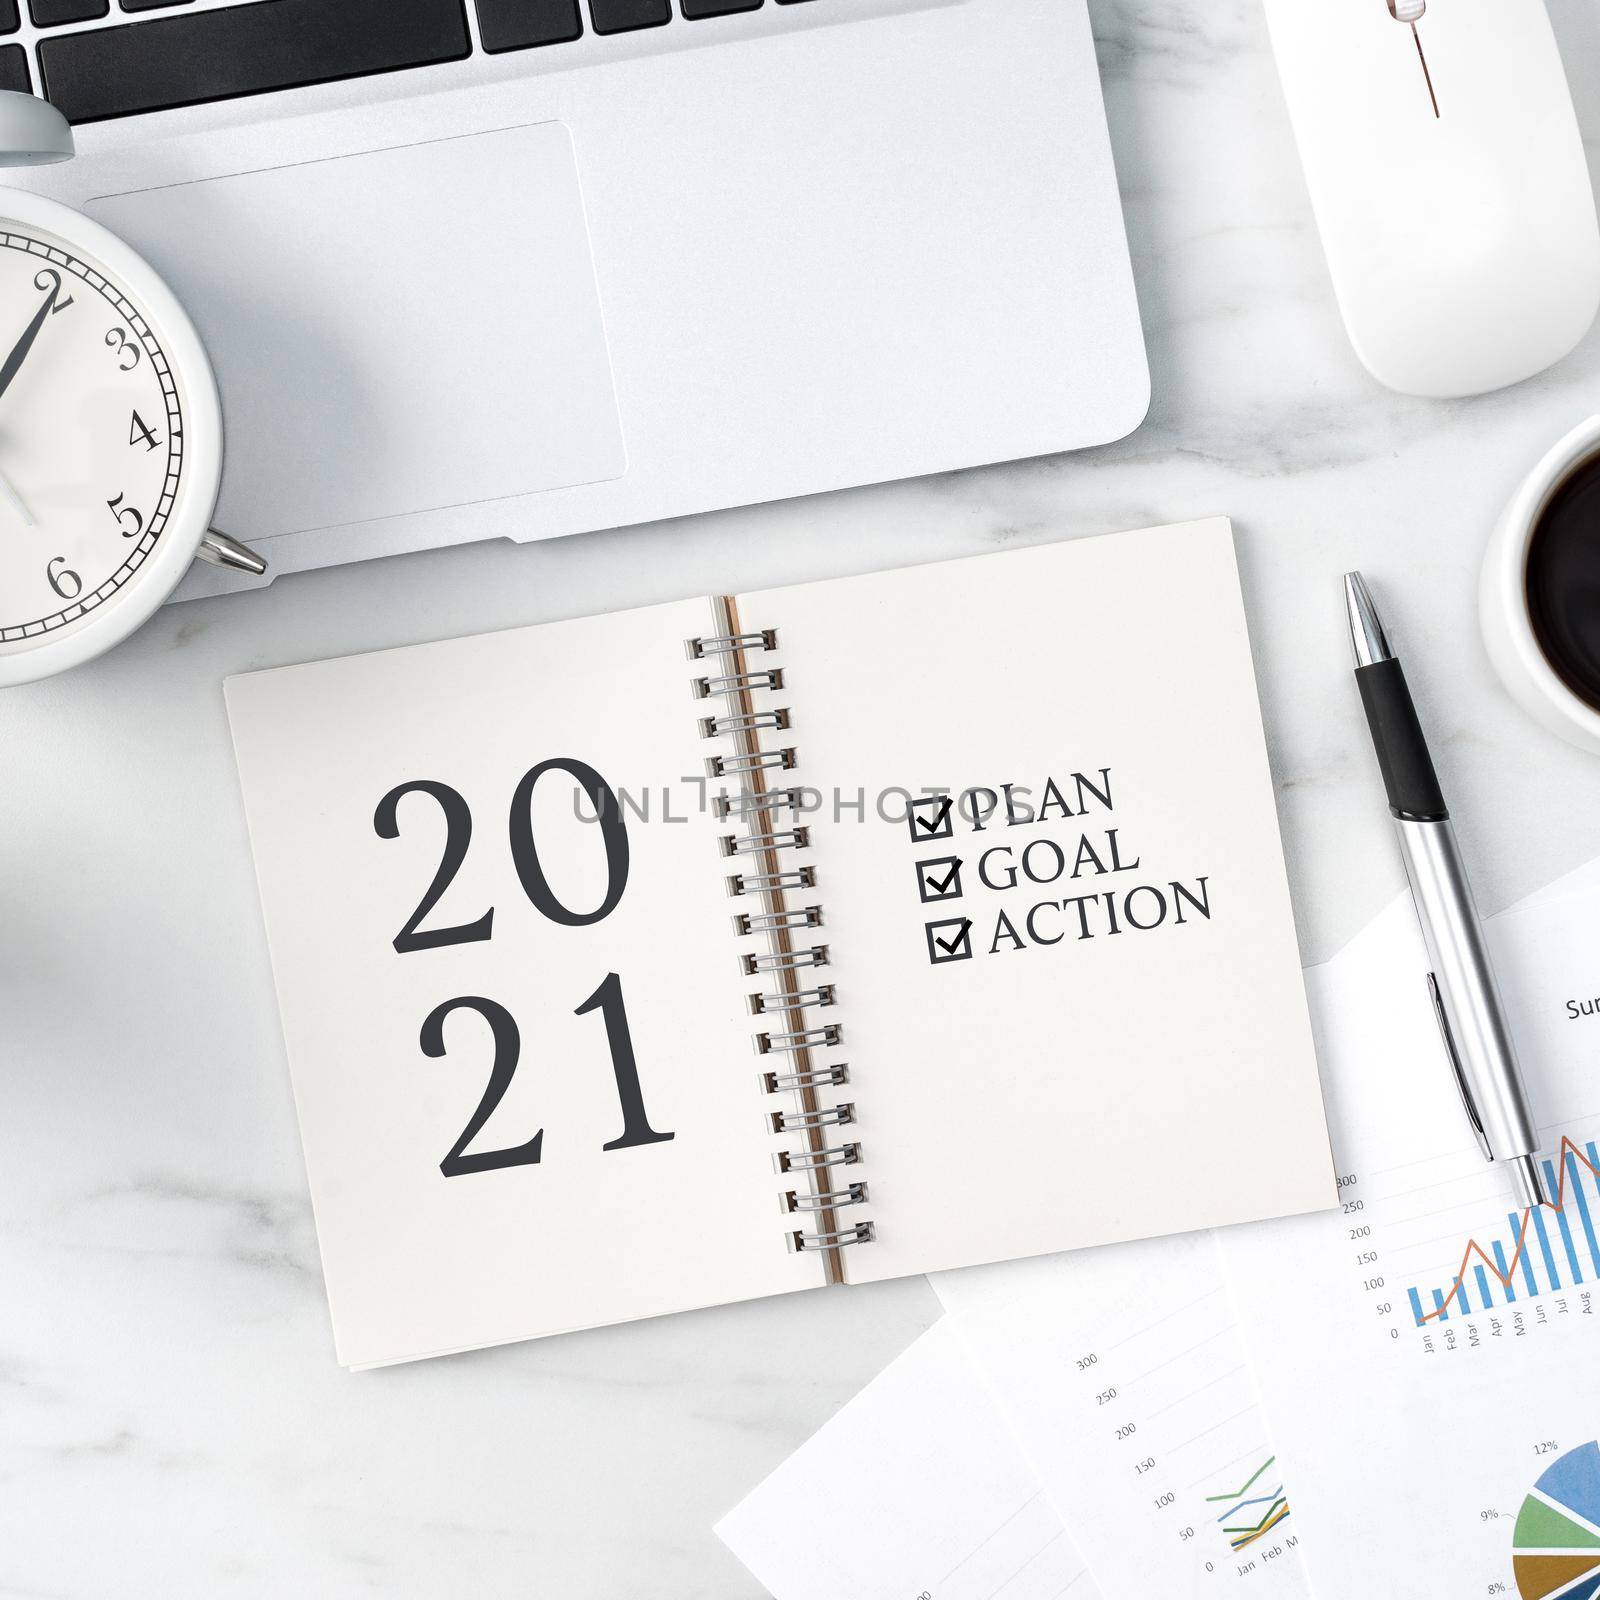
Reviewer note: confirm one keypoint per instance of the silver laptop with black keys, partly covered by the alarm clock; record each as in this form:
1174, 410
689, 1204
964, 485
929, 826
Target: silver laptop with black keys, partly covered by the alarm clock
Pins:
522, 268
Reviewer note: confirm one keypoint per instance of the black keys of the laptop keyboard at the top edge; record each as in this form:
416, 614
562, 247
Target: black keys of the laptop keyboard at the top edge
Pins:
153, 55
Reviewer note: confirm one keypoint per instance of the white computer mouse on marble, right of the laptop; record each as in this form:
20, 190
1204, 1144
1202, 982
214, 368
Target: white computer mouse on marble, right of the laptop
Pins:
1449, 182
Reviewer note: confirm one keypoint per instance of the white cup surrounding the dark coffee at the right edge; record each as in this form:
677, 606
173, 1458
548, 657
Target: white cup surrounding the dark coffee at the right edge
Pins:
1503, 599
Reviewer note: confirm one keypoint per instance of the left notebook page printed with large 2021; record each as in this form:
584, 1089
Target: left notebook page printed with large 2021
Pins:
532, 1114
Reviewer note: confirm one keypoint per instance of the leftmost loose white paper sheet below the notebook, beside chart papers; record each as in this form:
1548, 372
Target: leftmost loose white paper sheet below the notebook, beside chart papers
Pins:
913, 1492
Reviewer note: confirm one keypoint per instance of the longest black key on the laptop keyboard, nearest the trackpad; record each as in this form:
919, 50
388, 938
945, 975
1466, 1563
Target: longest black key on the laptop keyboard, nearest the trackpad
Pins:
270, 46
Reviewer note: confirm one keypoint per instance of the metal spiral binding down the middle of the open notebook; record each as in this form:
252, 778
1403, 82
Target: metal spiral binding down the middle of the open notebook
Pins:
767, 842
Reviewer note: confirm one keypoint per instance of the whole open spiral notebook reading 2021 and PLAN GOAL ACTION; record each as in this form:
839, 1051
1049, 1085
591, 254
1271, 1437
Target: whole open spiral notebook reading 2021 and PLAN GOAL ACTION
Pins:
820, 935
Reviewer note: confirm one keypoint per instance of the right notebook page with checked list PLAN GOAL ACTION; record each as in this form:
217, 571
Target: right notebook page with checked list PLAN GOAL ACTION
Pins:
1074, 1007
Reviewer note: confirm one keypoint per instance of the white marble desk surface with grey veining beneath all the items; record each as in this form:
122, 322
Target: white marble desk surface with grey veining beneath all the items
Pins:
172, 1420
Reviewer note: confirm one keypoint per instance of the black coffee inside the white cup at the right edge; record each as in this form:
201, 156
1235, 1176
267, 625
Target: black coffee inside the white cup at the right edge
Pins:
1564, 582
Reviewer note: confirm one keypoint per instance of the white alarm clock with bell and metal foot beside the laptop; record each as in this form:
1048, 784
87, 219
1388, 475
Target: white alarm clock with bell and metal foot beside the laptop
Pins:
111, 433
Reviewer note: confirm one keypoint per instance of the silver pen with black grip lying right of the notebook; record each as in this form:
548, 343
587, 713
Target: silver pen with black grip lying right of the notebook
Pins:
1462, 983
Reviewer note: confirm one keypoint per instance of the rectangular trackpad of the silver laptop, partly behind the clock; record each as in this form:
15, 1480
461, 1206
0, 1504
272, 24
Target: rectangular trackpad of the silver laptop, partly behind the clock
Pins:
393, 332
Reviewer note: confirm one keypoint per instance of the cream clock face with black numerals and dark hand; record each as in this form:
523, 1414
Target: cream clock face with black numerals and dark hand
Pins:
92, 439
